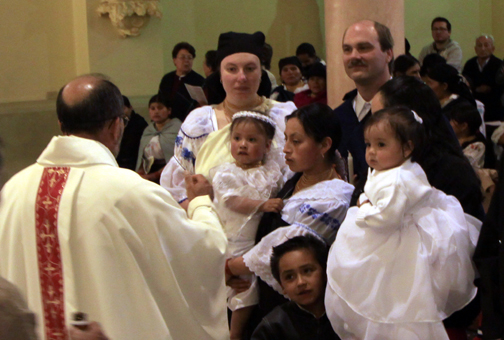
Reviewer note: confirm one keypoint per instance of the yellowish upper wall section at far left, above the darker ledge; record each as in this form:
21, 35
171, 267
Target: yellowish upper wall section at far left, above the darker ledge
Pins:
36, 48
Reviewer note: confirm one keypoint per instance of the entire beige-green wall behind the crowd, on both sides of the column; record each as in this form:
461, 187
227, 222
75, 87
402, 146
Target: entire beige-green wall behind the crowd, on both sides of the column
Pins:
45, 43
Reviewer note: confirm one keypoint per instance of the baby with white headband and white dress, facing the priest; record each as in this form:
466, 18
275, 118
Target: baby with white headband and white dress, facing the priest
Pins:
243, 190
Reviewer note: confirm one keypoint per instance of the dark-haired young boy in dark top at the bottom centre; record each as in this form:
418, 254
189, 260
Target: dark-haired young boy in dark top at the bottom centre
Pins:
299, 265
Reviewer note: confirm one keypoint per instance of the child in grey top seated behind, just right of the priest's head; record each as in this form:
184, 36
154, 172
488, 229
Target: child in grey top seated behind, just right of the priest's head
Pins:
158, 140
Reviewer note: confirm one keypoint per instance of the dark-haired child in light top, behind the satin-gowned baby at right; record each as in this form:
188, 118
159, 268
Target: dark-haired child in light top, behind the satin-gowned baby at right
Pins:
466, 121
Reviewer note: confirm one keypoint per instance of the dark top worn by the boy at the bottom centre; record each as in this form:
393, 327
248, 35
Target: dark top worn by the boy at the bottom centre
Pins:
289, 321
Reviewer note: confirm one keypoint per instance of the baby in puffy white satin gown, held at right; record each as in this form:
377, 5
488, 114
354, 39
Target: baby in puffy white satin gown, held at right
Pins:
401, 262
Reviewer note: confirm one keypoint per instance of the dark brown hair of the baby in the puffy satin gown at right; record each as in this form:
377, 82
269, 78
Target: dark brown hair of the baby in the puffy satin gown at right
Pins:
403, 124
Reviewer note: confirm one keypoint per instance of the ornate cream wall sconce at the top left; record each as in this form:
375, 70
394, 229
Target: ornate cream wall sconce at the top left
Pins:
129, 16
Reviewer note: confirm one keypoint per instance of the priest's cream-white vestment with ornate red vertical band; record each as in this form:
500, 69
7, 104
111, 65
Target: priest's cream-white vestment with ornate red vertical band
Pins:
77, 233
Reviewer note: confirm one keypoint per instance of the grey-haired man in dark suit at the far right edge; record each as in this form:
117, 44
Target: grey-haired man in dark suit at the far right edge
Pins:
481, 72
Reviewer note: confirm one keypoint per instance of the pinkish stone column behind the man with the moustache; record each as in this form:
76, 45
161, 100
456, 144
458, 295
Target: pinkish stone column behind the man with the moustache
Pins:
339, 14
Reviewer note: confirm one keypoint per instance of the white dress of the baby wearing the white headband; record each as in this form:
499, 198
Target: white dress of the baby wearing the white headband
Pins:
260, 183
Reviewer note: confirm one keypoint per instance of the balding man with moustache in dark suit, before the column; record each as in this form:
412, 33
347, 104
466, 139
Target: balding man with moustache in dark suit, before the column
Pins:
367, 57
